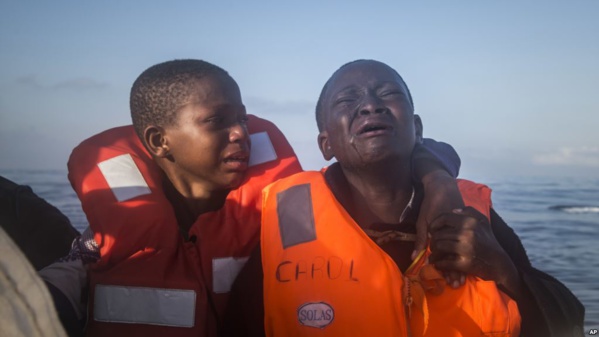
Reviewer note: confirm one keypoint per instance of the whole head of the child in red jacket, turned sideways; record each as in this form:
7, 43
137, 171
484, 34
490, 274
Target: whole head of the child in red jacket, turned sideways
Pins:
190, 117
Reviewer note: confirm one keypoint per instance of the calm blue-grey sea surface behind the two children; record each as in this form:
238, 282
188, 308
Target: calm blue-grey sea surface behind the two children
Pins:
557, 219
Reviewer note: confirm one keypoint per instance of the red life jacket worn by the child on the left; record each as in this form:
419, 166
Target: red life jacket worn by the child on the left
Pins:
150, 281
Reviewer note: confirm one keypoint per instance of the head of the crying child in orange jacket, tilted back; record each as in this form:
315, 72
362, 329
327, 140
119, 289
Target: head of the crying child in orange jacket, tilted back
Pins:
365, 116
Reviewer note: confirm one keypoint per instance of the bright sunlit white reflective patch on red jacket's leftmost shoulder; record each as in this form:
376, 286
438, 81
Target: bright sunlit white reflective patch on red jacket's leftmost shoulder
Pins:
123, 177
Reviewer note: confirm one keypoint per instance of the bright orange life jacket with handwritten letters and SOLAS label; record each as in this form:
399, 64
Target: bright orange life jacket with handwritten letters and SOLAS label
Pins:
323, 276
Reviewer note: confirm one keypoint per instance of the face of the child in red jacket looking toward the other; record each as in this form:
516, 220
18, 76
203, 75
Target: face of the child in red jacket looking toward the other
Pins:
209, 141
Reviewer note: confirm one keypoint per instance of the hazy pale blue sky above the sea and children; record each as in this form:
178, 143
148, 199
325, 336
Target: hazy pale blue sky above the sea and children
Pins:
513, 86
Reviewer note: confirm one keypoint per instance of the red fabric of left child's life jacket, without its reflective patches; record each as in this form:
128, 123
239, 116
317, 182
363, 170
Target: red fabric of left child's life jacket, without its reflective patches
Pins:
140, 242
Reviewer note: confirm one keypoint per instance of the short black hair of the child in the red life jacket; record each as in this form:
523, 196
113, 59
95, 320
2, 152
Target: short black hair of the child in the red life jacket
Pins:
158, 93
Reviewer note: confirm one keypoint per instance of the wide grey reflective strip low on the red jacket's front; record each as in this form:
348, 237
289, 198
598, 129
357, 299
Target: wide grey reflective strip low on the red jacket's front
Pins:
137, 305
